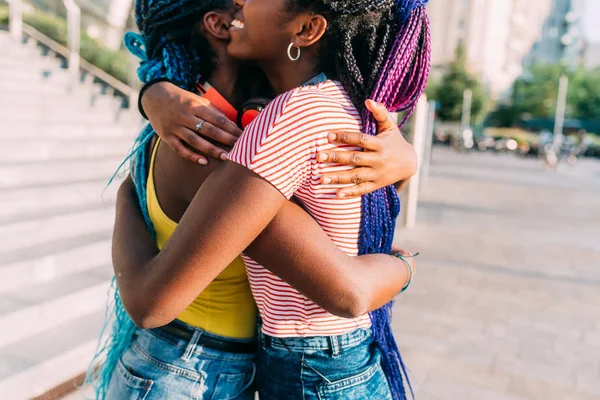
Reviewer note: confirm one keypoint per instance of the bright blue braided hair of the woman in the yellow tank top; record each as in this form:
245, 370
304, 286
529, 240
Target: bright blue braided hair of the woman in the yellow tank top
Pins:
170, 45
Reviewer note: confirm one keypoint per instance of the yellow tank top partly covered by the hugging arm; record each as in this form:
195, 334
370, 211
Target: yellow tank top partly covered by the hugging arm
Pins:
226, 307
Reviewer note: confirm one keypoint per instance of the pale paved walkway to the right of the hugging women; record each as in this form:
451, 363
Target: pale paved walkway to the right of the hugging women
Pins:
506, 304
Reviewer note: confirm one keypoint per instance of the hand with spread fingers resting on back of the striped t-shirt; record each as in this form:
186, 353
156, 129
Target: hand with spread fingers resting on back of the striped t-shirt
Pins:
387, 158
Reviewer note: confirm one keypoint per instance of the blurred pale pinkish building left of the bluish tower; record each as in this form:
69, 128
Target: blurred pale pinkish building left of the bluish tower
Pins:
497, 35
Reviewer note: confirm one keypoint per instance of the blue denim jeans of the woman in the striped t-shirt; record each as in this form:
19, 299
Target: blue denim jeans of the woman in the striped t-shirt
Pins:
345, 367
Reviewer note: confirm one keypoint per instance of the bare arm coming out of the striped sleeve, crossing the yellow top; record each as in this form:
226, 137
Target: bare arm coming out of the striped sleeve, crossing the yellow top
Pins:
230, 210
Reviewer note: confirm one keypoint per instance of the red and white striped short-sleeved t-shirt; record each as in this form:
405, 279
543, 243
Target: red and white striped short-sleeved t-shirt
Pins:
281, 146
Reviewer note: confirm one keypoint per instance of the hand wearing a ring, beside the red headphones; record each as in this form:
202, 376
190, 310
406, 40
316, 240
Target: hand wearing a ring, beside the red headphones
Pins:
174, 114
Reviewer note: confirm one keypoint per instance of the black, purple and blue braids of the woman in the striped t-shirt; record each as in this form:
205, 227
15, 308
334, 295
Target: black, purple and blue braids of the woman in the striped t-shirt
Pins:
377, 49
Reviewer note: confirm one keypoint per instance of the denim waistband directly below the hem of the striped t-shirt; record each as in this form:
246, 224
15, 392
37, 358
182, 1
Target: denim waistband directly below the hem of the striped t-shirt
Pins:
335, 343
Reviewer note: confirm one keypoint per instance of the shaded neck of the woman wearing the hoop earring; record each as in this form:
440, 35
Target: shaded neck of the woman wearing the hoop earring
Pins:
287, 75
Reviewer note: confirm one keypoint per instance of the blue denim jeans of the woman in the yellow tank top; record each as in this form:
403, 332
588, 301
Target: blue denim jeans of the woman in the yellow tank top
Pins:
161, 366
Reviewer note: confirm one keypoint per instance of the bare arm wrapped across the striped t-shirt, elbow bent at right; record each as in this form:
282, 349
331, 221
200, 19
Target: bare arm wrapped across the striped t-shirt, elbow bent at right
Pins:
310, 262
